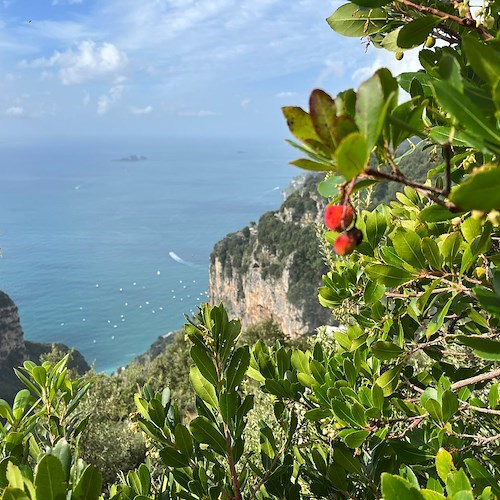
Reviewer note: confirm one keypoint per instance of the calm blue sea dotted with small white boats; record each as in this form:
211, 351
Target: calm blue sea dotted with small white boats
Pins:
107, 255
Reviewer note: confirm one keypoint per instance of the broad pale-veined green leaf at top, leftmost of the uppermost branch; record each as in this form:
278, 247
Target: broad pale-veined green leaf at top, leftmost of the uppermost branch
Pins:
351, 20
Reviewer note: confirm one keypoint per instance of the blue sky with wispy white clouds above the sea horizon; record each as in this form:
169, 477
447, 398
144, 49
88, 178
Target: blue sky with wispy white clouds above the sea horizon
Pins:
180, 67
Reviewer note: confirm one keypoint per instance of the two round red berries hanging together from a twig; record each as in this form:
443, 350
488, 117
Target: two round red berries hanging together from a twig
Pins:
339, 218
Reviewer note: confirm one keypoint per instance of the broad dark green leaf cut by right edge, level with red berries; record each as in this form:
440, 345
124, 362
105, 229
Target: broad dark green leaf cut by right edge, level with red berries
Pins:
479, 192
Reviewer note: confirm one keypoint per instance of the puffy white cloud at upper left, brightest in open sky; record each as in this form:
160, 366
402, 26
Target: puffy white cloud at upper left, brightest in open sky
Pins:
88, 61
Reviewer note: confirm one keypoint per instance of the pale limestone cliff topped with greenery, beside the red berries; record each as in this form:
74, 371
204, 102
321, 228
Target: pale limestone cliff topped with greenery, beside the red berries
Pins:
273, 269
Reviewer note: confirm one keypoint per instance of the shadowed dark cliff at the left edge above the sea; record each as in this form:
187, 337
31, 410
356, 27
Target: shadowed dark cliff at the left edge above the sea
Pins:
14, 349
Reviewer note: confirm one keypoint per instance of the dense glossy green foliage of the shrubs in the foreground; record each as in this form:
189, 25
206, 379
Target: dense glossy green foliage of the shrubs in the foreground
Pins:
404, 401
